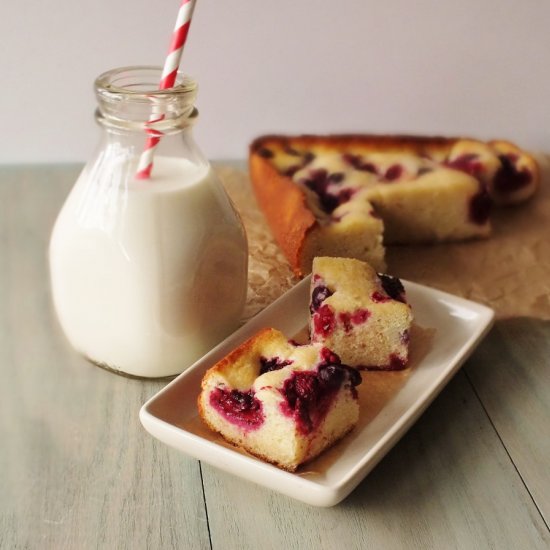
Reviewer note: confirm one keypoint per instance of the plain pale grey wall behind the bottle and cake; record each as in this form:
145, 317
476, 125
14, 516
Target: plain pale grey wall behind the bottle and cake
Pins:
475, 67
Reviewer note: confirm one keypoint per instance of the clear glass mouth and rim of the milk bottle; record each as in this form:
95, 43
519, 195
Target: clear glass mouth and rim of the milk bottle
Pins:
130, 97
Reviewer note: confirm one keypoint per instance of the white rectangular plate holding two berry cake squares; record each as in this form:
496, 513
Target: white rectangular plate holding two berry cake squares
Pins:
451, 327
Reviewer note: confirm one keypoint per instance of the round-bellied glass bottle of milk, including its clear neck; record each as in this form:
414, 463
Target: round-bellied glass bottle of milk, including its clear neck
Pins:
147, 274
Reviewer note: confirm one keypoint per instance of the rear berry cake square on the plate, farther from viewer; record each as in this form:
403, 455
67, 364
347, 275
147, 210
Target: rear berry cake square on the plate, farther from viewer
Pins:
361, 315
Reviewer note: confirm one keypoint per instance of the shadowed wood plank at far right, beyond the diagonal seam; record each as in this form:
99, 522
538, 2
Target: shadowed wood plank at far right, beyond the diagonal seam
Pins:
511, 375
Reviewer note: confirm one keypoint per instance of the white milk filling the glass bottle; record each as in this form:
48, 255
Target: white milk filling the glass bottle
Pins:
149, 275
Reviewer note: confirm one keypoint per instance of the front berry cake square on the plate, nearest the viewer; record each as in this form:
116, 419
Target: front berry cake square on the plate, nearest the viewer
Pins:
282, 402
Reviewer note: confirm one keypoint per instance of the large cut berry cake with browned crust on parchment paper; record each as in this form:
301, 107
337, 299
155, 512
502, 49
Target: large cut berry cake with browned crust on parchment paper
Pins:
350, 195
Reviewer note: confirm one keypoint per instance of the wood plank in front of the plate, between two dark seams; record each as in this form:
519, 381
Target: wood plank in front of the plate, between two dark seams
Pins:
448, 484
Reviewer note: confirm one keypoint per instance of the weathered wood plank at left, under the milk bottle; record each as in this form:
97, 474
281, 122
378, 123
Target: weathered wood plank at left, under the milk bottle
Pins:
77, 470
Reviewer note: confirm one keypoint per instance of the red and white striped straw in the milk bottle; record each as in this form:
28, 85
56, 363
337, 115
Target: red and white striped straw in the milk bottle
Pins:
168, 78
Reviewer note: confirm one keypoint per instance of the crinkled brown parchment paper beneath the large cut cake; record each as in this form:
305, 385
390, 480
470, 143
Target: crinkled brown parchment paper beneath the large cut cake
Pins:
509, 271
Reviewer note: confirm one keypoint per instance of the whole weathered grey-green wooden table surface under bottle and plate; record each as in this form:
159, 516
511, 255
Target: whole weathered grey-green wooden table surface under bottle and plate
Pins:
77, 470
